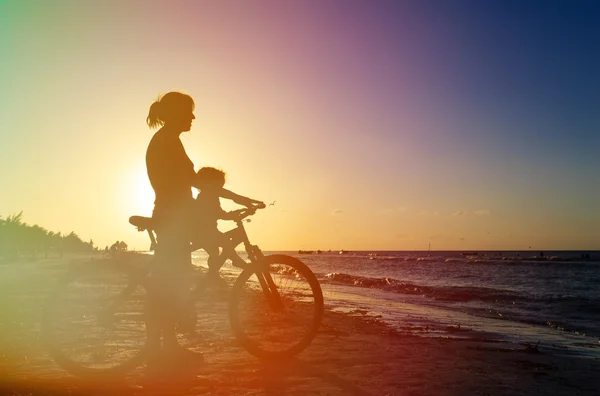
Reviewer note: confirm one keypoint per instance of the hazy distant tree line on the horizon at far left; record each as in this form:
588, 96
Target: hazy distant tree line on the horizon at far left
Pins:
18, 238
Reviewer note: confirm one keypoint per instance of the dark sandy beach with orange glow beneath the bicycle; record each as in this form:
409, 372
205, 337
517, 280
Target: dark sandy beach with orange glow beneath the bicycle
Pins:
352, 354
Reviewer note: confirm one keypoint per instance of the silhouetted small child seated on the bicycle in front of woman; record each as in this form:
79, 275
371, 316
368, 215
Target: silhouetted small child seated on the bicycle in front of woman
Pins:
207, 210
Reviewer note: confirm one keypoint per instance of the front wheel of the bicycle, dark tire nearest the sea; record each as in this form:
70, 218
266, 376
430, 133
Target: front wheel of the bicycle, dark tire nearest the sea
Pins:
270, 330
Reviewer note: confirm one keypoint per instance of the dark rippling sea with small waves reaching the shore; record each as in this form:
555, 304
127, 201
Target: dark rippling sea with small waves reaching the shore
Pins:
550, 297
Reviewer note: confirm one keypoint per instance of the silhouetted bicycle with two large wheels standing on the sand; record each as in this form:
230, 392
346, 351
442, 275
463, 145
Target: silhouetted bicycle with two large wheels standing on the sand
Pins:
272, 297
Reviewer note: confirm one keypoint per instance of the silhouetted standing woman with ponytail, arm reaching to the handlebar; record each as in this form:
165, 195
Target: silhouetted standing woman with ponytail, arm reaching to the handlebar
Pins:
172, 177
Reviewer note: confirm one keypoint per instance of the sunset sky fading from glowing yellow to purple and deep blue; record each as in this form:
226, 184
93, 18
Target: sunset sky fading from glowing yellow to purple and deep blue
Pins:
374, 125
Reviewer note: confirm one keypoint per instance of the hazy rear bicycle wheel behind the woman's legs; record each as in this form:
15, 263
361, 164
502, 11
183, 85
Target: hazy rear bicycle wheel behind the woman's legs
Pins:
94, 323
